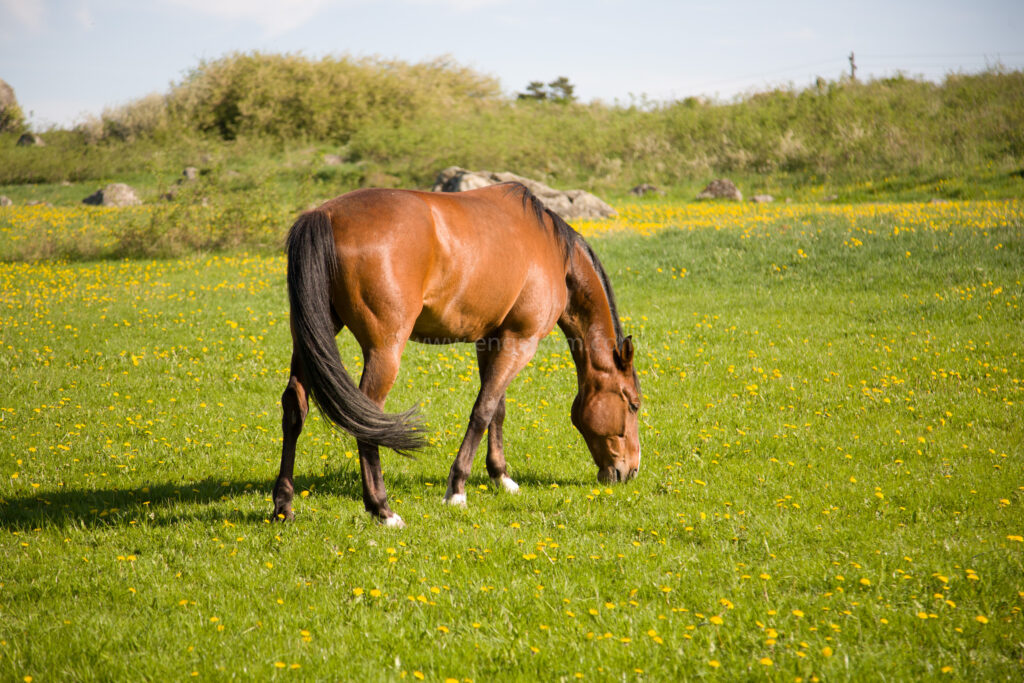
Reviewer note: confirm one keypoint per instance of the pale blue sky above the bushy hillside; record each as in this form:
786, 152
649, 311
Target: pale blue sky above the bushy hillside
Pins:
67, 59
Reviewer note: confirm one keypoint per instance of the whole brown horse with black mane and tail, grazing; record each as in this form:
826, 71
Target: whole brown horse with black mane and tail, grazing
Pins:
491, 267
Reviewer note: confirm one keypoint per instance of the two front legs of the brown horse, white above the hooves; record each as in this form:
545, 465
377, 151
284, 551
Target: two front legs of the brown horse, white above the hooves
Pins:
505, 359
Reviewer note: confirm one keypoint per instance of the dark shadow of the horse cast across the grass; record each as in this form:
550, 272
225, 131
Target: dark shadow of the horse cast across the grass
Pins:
173, 503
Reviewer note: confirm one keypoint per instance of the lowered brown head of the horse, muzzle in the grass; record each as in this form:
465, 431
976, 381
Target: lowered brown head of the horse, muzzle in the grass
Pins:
606, 412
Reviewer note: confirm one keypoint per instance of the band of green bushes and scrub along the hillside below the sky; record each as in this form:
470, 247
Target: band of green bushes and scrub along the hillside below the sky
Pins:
408, 121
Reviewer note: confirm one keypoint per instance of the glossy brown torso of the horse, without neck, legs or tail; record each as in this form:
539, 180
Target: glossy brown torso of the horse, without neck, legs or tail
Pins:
452, 267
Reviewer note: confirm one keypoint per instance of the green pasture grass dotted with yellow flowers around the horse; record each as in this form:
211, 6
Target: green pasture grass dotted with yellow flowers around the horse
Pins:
832, 482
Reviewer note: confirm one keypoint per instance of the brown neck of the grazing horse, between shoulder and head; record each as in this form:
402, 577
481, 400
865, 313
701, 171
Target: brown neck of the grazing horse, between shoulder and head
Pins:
587, 320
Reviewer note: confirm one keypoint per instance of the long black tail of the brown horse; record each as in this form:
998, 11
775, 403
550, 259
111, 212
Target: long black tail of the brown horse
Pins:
313, 265
